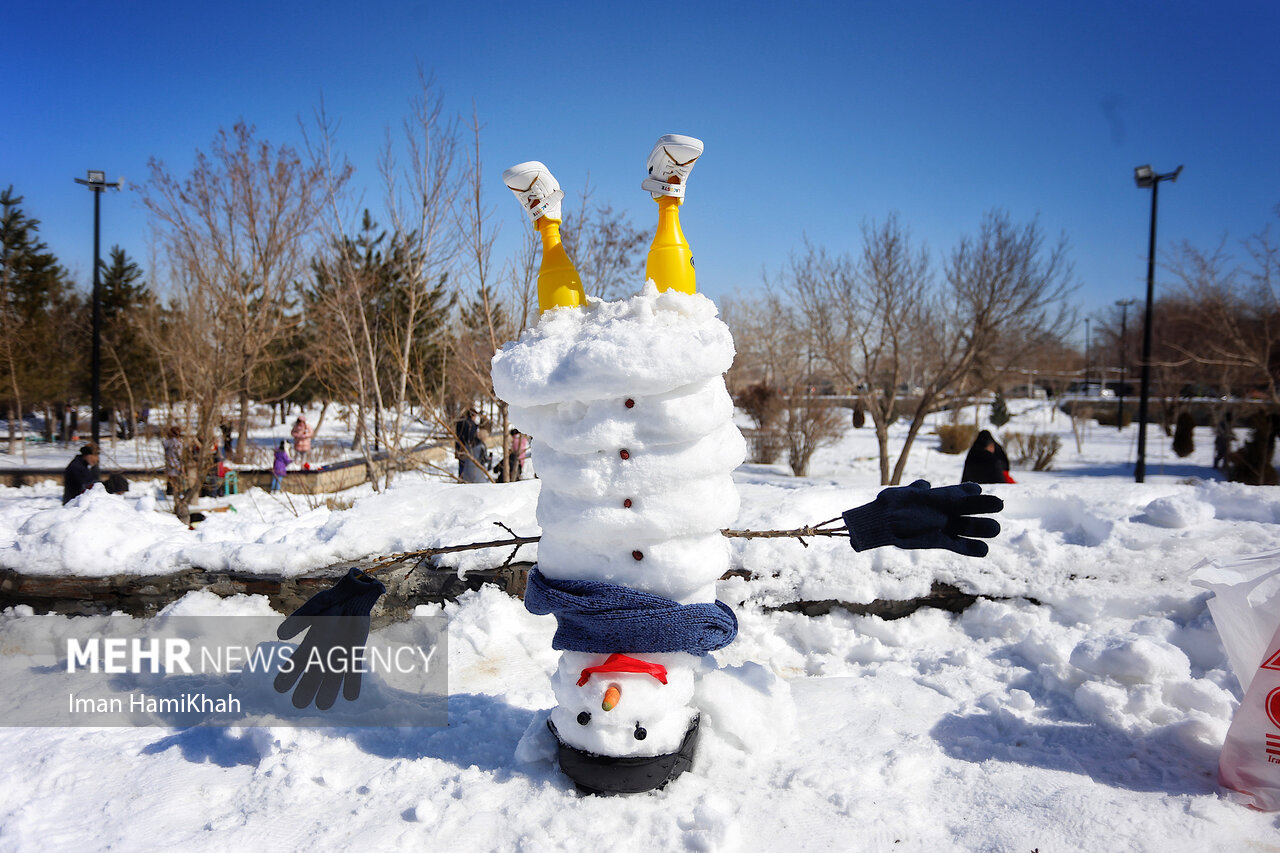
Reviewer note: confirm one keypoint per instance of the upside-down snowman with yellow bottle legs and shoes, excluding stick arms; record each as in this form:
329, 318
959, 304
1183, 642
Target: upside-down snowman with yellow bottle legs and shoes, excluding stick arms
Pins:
636, 451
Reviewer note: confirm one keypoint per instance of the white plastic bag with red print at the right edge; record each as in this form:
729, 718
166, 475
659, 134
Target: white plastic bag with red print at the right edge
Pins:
1246, 609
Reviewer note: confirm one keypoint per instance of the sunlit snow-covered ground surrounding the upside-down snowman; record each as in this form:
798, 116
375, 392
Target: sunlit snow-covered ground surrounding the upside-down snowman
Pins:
1080, 705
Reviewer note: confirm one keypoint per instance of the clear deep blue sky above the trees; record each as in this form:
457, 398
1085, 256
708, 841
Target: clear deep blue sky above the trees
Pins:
817, 116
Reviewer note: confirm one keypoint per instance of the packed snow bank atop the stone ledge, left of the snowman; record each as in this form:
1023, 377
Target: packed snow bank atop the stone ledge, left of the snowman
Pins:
100, 535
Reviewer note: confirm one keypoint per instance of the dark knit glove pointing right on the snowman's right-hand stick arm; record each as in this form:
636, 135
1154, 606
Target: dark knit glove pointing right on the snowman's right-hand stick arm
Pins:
917, 517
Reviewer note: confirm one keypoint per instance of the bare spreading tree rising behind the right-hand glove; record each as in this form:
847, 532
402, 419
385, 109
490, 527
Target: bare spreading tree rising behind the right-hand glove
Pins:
885, 330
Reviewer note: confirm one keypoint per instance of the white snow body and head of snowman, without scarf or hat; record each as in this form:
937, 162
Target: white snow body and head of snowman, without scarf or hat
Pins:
636, 448
